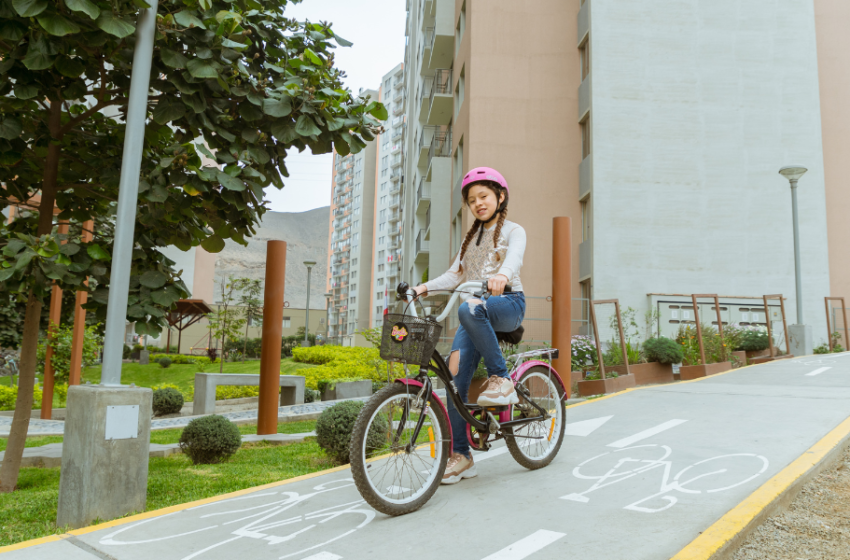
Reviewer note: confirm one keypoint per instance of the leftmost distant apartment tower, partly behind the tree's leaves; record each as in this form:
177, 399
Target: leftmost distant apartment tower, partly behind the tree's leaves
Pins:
350, 243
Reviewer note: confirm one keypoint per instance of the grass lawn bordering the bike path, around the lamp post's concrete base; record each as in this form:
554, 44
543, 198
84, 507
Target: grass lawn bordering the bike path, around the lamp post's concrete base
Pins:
30, 512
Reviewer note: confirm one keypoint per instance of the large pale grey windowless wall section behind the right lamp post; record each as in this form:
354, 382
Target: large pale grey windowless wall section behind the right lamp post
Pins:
695, 107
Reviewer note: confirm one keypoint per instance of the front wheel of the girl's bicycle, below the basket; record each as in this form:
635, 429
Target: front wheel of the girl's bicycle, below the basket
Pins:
394, 473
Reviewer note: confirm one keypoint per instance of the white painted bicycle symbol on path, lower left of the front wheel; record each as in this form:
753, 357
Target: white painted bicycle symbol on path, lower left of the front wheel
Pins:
263, 516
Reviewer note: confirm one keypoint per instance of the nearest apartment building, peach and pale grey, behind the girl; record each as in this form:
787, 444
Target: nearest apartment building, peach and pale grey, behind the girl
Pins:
658, 127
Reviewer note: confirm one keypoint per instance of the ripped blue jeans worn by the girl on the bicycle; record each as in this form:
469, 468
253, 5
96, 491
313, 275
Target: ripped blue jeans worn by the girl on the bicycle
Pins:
476, 339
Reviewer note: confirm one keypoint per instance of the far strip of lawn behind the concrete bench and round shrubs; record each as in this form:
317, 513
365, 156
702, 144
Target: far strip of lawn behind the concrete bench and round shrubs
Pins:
183, 376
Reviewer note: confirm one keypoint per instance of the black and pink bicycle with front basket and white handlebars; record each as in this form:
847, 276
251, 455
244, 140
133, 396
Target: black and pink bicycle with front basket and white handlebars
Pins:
402, 439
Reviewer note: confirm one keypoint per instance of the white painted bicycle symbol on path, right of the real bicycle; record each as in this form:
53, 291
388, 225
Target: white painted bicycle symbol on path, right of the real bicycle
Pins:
708, 476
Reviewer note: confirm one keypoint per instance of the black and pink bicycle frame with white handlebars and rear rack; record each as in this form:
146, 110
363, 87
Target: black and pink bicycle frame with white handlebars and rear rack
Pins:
488, 420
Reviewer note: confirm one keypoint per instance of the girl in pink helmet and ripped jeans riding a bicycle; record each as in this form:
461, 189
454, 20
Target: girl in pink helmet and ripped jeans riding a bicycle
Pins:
492, 250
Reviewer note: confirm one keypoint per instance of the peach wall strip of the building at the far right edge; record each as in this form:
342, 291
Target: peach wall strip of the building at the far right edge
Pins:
832, 18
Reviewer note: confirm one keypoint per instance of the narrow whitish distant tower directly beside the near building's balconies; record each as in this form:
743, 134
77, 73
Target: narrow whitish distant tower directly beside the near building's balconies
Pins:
388, 200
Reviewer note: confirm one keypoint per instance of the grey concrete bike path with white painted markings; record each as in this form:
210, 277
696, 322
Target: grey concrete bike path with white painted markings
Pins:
640, 475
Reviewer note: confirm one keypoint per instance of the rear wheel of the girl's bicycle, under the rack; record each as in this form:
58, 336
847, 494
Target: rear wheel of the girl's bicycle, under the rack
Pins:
535, 444
